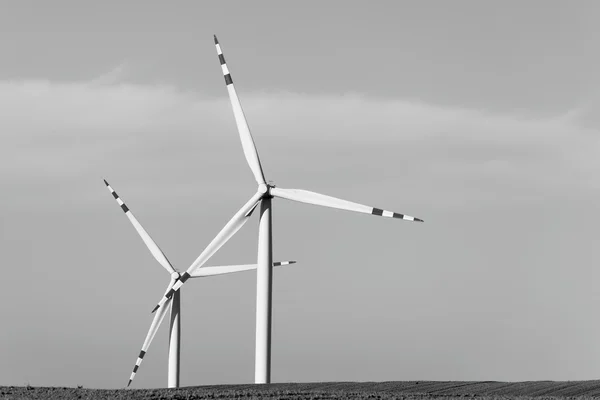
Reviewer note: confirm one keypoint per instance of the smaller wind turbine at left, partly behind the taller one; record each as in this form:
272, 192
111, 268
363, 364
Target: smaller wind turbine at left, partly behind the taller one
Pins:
175, 300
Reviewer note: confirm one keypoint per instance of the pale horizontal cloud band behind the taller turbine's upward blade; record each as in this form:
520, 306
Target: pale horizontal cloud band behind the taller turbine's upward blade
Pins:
59, 130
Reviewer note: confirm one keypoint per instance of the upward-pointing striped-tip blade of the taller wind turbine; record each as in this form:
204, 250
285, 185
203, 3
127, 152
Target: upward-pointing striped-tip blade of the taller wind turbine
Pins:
240, 120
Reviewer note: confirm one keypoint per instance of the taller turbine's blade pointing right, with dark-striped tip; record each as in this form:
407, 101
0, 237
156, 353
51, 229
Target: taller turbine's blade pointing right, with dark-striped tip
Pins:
304, 196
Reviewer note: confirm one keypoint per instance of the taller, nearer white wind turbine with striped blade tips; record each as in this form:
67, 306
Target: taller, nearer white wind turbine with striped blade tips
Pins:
263, 196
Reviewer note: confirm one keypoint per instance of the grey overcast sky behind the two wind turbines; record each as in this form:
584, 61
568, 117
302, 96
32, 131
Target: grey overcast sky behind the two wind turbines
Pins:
479, 117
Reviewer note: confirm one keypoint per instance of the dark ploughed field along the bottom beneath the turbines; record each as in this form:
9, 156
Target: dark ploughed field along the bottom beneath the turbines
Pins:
488, 390
